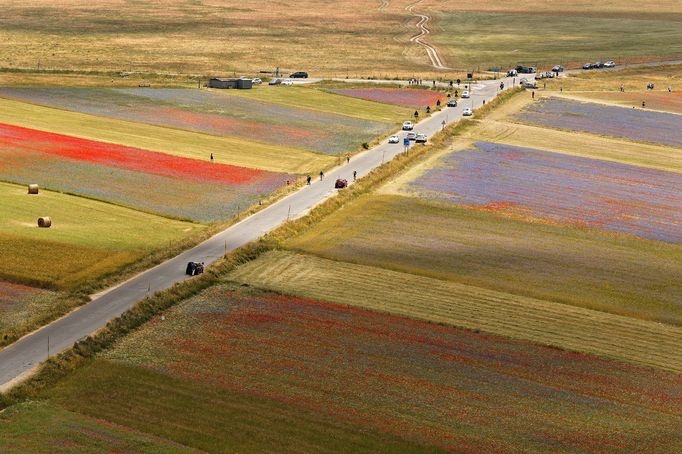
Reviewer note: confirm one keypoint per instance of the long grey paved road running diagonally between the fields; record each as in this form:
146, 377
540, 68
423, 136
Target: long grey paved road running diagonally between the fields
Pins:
20, 358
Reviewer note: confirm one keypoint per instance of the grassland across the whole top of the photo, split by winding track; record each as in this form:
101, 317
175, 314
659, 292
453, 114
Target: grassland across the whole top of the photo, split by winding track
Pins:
332, 38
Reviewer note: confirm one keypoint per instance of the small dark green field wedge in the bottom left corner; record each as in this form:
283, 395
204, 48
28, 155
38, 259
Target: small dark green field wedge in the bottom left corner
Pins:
44, 427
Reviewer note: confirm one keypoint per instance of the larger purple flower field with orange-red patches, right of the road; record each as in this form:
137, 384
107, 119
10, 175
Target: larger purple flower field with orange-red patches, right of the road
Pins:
559, 188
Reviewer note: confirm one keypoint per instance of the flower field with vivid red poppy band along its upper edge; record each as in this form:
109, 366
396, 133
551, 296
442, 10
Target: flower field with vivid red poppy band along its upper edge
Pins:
191, 189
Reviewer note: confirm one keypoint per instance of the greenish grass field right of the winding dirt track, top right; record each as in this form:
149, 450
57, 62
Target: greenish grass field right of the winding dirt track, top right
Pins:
473, 39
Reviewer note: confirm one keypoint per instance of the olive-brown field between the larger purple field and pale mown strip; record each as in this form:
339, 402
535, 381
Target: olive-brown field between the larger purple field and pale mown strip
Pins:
564, 265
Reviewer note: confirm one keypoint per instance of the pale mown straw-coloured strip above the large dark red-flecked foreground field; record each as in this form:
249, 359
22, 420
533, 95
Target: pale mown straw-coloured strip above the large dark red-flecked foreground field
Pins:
529, 319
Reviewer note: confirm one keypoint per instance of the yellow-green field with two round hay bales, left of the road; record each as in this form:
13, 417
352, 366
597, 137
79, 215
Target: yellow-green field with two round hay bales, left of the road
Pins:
87, 238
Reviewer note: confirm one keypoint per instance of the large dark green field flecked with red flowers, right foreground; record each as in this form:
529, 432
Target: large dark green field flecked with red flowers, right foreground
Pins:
430, 384
